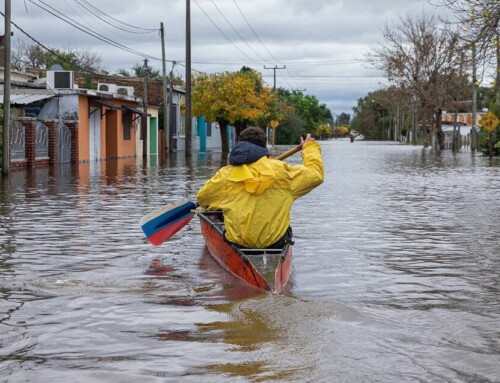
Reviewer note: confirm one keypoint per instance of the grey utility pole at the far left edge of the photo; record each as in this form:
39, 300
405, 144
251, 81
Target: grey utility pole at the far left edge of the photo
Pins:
6, 92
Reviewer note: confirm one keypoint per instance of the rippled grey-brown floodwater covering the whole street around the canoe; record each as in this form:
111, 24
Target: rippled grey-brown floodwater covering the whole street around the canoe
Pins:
396, 276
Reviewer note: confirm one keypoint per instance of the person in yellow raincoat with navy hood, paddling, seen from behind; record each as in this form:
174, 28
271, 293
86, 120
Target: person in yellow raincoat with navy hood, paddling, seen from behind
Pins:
255, 192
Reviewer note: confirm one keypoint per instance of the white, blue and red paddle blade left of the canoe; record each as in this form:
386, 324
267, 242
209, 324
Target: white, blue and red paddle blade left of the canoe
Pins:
164, 222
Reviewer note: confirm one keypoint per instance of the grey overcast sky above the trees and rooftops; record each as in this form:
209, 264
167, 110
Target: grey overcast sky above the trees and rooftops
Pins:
322, 43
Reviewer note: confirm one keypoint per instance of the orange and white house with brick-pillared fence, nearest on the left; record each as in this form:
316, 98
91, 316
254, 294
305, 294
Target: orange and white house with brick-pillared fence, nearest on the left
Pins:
64, 123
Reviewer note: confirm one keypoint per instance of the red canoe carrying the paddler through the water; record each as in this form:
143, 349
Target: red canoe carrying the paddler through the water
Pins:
265, 269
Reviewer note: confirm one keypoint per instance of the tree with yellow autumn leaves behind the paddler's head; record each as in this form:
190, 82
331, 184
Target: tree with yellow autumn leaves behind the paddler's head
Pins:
229, 98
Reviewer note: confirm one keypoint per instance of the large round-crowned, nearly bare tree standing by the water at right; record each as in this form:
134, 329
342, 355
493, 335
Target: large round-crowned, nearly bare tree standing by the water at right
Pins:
420, 56
